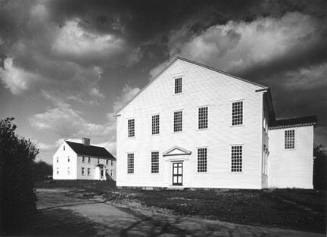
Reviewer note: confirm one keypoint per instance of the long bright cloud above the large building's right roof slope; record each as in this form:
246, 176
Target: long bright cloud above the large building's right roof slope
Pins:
238, 46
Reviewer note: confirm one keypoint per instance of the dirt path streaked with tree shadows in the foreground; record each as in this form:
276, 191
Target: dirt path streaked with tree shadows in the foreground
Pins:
132, 219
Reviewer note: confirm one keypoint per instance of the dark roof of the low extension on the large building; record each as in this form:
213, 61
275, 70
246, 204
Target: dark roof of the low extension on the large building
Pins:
293, 122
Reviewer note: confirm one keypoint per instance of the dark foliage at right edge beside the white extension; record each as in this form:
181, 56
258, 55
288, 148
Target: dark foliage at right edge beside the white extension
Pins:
320, 168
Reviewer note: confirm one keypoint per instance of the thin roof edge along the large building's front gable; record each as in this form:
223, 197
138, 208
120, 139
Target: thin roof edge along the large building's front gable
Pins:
192, 62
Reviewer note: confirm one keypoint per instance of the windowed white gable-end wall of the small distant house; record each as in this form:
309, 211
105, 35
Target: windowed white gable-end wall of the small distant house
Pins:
64, 163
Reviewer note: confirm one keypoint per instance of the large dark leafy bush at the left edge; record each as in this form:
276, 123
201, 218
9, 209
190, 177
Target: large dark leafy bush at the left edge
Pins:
16, 180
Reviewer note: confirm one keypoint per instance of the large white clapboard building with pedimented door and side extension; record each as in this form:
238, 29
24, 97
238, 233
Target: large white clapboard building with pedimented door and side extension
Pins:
194, 126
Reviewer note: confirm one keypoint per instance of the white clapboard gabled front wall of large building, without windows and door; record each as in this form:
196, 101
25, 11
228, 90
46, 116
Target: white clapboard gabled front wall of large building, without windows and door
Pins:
201, 87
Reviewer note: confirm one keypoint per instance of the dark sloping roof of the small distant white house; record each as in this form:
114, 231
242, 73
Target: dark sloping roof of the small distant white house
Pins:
89, 150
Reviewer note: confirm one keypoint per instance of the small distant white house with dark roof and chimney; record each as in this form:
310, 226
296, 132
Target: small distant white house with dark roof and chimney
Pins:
83, 161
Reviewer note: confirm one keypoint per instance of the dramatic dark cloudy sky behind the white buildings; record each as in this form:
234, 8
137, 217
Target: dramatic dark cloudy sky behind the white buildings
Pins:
67, 65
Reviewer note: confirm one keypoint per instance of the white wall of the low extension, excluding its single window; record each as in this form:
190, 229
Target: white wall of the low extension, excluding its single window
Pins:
291, 168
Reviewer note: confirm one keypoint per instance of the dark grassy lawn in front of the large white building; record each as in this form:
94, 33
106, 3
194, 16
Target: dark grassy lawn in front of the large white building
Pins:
285, 208
